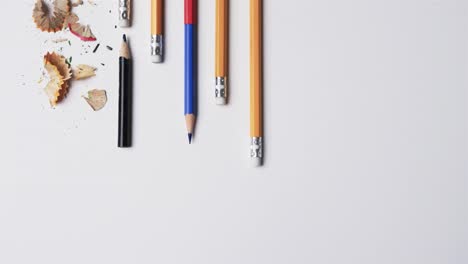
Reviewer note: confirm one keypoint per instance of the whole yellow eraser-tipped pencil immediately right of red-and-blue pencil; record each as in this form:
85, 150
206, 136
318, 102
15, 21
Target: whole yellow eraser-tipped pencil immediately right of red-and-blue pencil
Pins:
221, 46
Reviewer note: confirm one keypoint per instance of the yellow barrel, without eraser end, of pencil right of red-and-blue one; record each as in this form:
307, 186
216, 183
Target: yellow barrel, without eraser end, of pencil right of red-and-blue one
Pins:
221, 38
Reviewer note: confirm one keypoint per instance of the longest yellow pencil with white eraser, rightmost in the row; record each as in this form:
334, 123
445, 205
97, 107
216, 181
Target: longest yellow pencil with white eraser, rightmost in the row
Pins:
256, 114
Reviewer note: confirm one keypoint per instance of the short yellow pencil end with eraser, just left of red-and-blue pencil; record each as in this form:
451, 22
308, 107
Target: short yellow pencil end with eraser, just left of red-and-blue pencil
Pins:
157, 31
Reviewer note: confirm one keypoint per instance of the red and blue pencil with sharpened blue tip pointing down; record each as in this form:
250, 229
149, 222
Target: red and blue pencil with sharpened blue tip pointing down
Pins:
190, 67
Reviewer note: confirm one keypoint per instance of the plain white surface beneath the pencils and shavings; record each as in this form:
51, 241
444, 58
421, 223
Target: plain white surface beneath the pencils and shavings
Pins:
366, 143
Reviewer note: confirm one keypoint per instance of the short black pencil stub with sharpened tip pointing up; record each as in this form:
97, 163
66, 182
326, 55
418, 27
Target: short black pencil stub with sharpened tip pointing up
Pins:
125, 96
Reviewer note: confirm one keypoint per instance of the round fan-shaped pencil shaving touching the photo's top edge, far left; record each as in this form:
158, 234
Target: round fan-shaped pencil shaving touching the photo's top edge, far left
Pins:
50, 18
